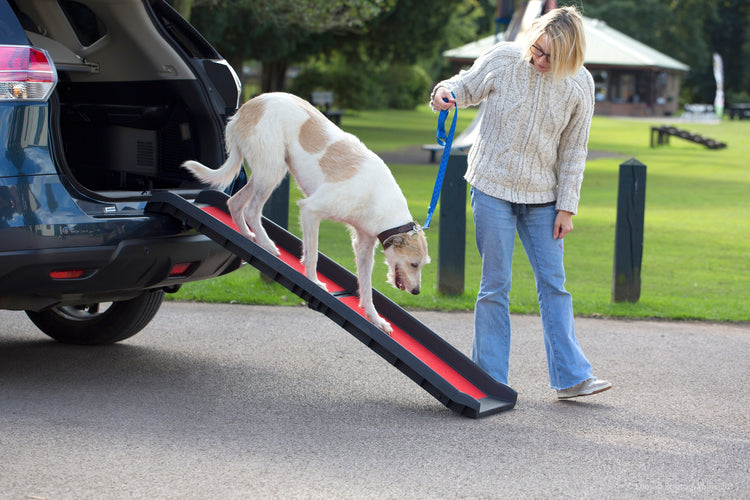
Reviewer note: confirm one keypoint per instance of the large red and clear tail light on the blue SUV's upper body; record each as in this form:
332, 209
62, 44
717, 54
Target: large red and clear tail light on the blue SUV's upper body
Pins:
26, 74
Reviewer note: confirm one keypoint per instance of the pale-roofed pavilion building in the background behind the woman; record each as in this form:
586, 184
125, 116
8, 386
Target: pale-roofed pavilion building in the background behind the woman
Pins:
631, 78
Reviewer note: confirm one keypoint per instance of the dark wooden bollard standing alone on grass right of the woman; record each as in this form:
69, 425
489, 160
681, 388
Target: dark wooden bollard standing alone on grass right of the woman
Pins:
631, 205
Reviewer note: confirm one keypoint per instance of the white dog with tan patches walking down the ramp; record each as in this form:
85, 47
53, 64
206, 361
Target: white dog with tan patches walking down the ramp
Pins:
341, 179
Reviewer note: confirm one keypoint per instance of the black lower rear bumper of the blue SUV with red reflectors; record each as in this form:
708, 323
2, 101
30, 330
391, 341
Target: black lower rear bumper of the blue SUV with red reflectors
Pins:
31, 279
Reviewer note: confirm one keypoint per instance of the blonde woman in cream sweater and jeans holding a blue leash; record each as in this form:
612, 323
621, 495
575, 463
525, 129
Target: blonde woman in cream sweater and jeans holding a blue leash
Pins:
525, 171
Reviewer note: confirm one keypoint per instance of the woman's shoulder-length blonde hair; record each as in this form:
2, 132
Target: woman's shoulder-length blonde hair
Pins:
564, 30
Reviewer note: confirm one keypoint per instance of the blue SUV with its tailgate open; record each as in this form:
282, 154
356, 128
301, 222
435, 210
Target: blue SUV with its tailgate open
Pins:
100, 103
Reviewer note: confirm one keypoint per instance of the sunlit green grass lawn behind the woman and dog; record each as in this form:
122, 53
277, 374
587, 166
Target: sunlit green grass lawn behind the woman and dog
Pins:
695, 256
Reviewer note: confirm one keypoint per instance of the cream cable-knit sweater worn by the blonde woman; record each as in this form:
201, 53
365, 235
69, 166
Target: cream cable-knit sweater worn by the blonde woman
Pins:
532, 142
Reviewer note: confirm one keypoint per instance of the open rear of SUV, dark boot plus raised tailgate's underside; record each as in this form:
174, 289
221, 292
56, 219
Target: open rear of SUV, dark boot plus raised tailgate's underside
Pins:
129, 107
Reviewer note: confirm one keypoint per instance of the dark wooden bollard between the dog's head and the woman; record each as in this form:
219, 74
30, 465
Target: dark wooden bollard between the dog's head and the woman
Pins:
452, 243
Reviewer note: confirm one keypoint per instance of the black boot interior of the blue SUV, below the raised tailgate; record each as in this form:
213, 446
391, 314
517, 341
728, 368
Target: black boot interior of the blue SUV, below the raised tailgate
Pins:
113, 141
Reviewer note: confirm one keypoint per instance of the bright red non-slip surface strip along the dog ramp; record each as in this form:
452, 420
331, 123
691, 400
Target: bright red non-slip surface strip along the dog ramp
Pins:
404, 339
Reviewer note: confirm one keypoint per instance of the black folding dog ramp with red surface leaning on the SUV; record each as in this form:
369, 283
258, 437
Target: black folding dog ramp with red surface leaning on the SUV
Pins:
436, 366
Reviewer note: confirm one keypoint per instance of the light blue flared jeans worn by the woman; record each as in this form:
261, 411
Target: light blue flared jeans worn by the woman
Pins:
496, 222
